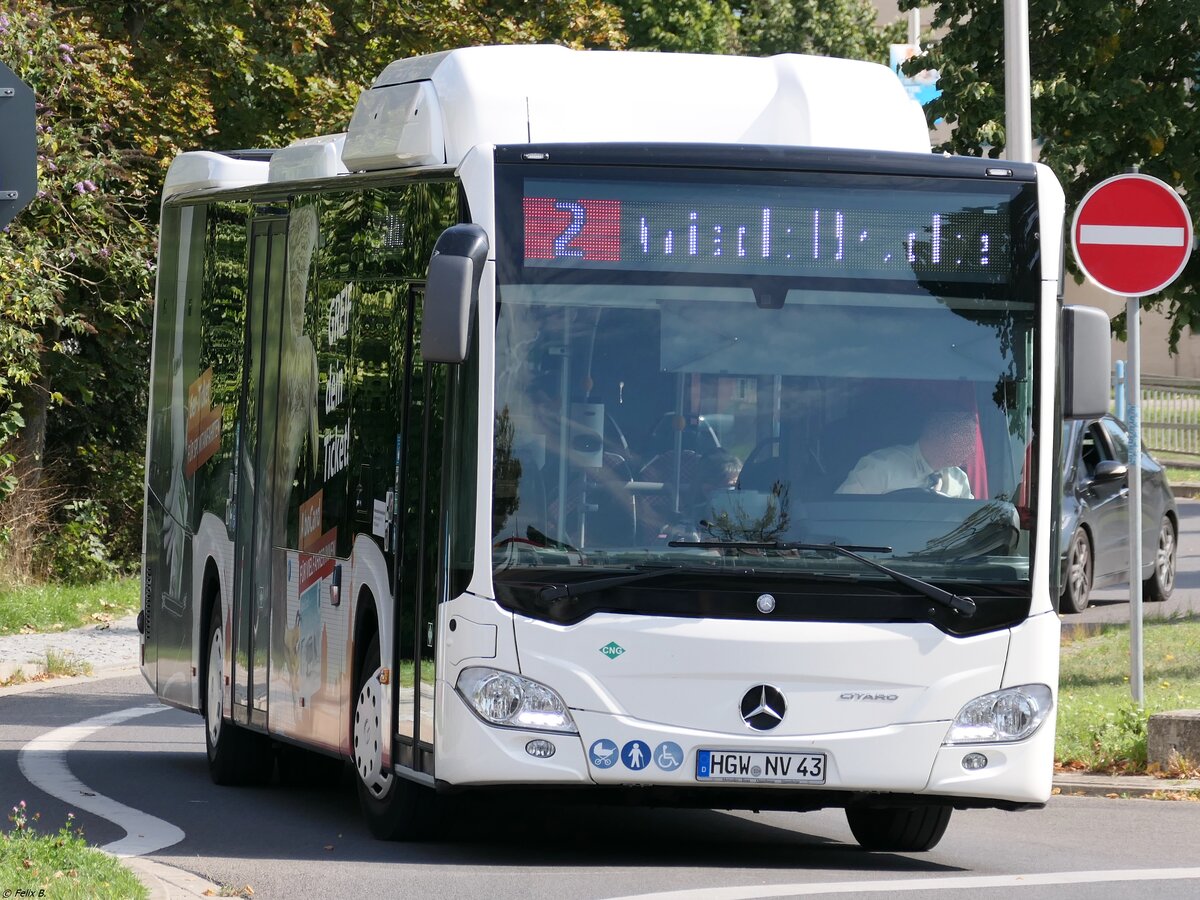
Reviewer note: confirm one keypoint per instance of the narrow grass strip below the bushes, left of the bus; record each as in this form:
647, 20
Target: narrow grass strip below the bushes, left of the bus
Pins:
59, 608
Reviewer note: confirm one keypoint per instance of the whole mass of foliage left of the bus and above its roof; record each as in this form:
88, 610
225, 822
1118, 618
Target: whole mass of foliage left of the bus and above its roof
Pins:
122, 87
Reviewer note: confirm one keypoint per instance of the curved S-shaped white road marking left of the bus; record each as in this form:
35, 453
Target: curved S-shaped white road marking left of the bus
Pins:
44, 764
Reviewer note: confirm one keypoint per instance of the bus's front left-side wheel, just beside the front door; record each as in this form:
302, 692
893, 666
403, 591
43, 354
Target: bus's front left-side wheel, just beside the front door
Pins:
394, 808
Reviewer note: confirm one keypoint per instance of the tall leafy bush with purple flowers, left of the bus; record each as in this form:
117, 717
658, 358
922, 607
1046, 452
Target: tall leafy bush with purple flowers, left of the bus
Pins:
76, 272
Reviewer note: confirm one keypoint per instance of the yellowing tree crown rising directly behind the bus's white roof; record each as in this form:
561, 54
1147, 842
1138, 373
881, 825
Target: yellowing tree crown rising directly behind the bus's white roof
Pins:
272, 73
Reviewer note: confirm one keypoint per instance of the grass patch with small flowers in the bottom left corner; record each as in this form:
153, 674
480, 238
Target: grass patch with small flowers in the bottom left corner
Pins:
61, 865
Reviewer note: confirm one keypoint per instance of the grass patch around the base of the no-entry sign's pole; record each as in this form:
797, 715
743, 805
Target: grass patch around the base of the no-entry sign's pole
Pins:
1100, 727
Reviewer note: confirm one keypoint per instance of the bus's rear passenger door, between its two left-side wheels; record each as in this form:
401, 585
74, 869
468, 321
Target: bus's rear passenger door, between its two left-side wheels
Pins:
254, 548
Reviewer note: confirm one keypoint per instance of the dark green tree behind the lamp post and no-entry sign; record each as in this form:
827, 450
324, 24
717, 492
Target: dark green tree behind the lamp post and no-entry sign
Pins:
1112, 89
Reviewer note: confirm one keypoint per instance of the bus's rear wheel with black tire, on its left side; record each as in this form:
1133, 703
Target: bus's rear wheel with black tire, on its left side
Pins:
237, 757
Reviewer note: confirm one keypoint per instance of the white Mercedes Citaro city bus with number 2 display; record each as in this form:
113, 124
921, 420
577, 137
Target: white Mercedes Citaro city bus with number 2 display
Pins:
506, 441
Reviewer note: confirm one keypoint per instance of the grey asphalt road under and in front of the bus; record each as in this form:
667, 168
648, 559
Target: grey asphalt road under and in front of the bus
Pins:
309, 841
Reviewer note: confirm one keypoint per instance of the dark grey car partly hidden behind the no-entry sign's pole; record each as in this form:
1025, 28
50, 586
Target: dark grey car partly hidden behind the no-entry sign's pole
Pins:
1096, 515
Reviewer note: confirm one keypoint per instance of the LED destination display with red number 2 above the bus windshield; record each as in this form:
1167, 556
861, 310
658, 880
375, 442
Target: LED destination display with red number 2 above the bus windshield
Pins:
787, 231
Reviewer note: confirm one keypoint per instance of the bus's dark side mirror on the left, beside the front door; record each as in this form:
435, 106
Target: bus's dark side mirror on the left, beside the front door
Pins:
452, 293
